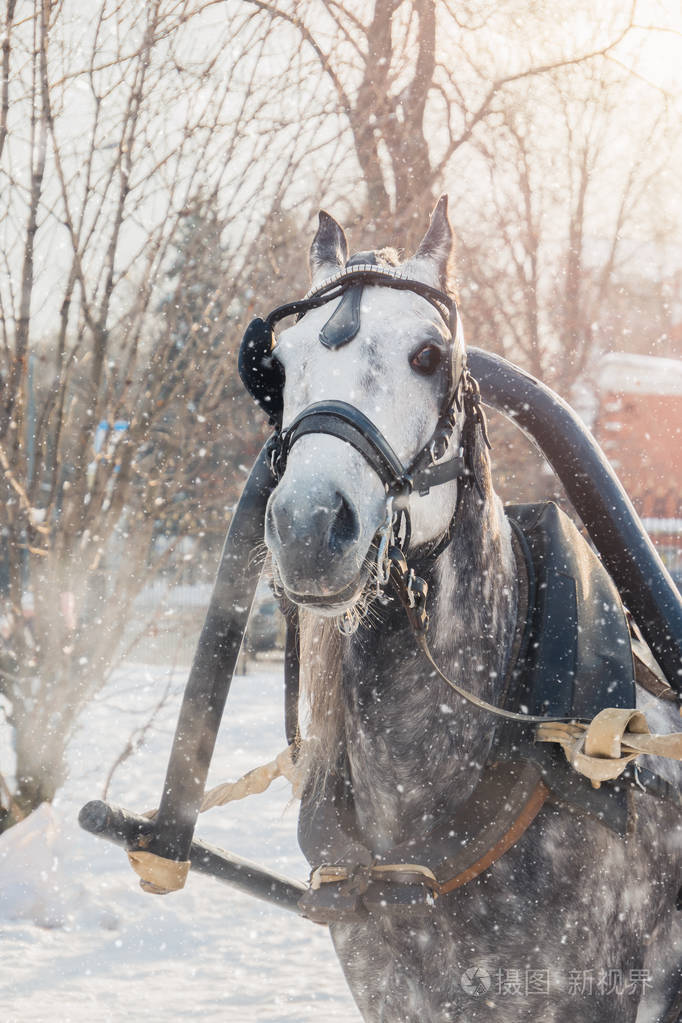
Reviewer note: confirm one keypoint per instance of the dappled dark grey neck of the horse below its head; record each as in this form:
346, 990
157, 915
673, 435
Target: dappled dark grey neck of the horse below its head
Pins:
414, 745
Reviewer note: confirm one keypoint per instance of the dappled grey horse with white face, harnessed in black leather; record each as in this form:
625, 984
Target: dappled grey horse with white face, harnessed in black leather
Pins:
577, 920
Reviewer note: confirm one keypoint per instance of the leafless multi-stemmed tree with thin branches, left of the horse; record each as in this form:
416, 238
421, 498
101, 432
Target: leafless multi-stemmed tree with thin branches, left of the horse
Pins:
112, 410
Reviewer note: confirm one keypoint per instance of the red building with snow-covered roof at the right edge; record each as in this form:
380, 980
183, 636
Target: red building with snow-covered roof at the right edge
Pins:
640, 426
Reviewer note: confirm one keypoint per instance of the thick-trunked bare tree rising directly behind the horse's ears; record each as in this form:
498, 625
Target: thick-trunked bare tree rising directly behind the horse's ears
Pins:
414, 81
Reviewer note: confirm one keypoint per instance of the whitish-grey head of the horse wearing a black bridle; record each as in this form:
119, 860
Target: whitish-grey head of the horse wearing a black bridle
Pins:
387, 353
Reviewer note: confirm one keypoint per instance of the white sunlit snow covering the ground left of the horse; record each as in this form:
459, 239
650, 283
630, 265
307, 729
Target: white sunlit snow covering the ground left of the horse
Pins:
82, 943
